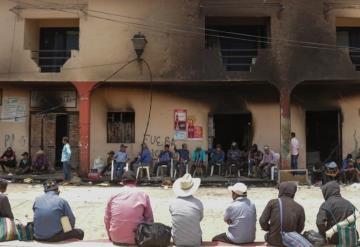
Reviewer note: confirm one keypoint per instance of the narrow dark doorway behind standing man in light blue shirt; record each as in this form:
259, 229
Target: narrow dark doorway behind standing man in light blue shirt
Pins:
61, 130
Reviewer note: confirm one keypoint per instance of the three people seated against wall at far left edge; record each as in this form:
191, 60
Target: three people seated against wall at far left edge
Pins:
26, 165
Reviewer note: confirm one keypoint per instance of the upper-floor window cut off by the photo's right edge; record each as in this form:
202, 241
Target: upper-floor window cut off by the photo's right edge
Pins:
350, 37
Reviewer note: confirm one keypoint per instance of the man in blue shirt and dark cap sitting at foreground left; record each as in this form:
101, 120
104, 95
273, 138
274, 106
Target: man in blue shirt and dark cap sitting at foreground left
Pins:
49, 209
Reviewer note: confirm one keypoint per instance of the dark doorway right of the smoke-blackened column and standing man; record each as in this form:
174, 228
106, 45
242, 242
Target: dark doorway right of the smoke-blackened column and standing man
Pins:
323, 135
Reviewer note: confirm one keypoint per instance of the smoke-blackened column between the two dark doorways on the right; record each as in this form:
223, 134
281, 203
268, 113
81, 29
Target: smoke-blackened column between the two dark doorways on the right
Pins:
285, 128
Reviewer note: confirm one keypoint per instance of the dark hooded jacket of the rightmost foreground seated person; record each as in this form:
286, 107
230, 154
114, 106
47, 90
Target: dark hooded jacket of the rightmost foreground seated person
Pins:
340, 208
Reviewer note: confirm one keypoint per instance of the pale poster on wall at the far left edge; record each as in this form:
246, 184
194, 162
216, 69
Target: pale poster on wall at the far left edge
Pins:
13, 109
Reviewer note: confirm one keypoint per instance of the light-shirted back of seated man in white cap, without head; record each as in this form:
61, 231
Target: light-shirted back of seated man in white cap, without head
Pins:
242, 214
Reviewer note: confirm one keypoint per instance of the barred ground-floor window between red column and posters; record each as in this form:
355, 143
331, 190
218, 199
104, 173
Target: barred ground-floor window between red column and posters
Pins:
121, 127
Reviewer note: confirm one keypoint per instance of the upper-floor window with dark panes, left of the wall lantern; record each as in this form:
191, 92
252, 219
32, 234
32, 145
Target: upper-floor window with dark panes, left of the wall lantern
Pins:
55, 45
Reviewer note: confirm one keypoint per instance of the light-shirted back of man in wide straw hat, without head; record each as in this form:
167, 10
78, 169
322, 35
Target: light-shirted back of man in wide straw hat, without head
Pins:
186, 213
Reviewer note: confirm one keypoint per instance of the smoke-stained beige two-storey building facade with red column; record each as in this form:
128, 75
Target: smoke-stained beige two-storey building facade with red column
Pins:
219, 71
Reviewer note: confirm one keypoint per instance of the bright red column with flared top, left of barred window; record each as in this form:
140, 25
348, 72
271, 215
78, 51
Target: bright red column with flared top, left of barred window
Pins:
84, 90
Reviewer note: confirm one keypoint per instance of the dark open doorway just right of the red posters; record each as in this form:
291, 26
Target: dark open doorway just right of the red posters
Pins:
230, 128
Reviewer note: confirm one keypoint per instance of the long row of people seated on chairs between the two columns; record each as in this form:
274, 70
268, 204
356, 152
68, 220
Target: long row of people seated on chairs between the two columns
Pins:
254, 162
